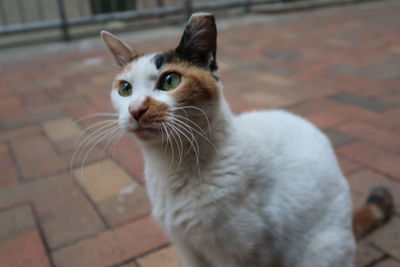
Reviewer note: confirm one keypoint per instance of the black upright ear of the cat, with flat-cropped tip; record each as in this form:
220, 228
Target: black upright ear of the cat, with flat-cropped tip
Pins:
199, 41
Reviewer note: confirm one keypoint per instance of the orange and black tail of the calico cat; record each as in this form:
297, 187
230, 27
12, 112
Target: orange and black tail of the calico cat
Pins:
377, 210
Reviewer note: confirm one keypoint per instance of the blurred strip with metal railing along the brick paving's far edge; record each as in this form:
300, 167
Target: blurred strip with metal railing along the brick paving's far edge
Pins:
55, 19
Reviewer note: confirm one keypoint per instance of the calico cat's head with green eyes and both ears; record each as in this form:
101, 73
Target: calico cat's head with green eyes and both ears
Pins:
178, 87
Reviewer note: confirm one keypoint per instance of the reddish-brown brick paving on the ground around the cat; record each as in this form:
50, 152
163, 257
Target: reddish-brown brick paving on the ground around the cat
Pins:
339, 68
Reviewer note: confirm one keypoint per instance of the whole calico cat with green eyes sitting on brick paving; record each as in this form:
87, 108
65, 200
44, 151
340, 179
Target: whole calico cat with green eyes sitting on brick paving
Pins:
251, 190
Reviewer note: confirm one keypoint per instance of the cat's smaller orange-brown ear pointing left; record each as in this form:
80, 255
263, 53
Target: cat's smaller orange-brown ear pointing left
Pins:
122, 53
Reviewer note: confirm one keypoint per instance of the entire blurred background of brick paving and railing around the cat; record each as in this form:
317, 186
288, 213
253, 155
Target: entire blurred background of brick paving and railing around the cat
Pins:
71, 187
